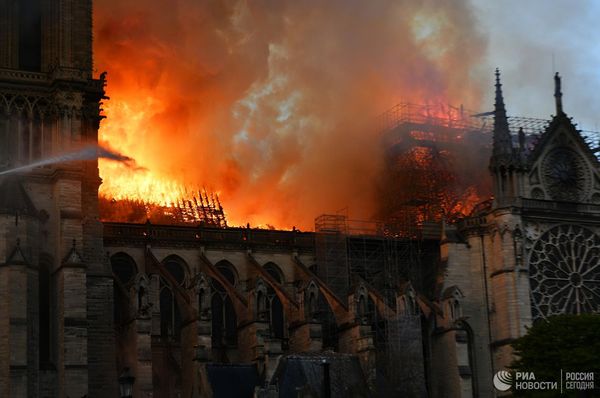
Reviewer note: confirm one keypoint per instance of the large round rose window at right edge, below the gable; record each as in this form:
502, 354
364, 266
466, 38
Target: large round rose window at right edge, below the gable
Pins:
564, 269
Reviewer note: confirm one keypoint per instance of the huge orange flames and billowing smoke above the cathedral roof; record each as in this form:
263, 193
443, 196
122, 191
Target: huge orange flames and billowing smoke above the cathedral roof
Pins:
270, 104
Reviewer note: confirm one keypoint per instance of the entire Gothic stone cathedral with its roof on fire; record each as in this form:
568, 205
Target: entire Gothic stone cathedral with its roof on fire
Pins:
422, 309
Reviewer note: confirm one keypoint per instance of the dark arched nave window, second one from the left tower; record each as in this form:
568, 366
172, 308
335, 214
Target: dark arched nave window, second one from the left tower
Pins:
170, 315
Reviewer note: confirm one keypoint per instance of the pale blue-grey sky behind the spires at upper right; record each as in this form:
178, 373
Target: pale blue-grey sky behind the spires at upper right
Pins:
529, 41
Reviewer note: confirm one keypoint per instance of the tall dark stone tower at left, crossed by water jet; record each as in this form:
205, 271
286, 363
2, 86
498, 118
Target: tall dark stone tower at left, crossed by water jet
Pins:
56, 336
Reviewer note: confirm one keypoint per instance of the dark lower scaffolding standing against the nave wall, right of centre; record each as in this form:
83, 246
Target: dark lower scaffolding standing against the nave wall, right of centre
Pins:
349, 249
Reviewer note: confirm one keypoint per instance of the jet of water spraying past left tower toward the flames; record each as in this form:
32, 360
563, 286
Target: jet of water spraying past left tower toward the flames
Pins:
90, 152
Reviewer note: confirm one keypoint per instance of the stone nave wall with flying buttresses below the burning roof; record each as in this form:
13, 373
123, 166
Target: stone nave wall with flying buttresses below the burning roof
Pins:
249, 296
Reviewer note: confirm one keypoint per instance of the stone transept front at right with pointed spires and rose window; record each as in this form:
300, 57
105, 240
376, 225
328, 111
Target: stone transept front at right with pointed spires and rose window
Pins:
530, 253
